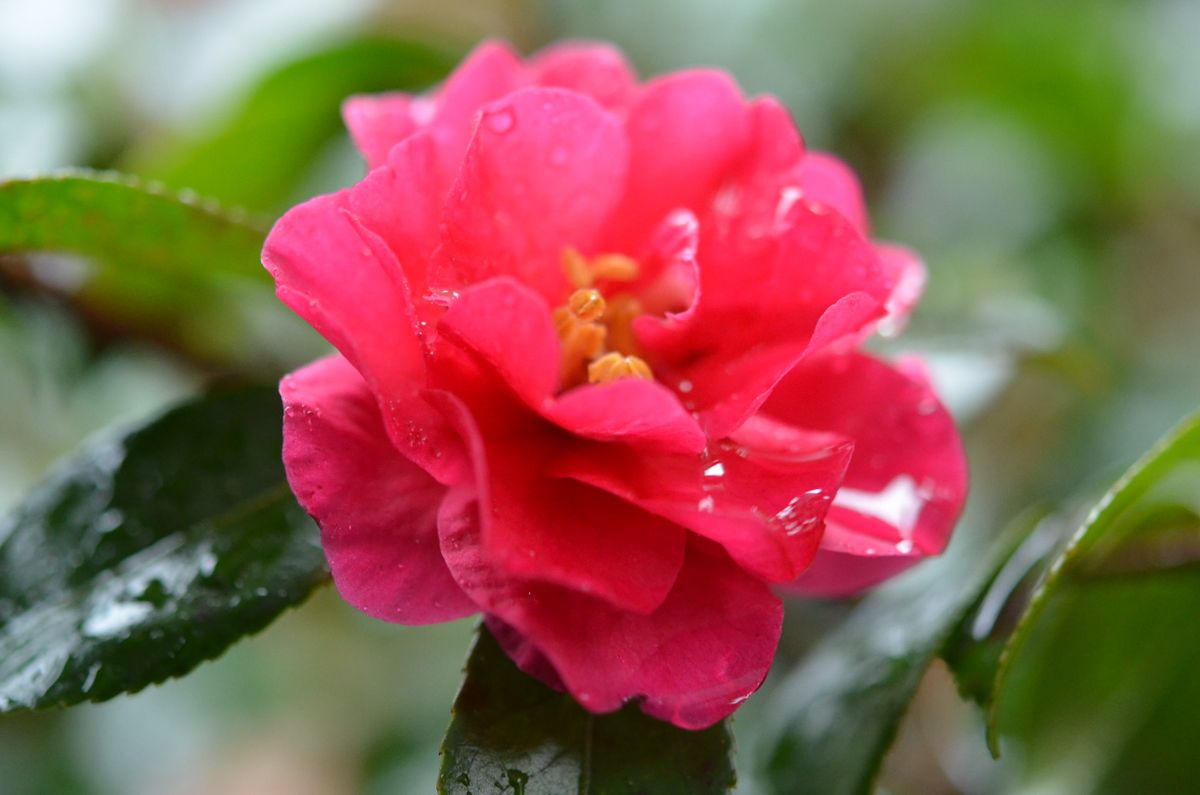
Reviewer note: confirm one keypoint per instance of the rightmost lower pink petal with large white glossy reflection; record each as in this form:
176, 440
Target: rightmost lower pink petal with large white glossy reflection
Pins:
907, 482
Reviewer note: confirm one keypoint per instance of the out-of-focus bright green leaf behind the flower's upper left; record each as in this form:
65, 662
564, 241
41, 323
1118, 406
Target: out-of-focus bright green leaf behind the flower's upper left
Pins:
260, 157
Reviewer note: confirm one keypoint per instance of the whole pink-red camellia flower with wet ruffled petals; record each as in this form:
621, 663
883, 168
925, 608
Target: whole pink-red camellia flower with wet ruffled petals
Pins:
598, 376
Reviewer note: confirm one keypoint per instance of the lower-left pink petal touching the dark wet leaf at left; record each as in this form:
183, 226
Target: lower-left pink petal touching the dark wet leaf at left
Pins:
377, 511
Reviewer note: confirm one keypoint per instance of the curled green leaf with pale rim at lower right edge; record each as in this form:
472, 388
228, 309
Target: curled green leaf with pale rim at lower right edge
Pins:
1097, 683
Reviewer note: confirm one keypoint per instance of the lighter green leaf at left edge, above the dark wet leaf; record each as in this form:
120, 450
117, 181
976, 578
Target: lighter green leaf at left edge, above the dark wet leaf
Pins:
147, 261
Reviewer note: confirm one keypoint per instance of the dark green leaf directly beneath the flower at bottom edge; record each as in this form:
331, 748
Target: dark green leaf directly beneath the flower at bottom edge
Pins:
512, 734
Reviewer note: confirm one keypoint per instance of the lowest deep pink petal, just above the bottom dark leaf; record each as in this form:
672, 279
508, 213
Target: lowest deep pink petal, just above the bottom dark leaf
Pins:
692, 662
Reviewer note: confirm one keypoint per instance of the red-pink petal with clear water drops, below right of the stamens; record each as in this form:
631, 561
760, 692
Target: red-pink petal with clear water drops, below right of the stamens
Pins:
761, 495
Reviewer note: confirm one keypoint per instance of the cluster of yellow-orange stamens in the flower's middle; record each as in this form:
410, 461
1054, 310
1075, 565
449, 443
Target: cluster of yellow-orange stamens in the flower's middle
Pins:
598, 334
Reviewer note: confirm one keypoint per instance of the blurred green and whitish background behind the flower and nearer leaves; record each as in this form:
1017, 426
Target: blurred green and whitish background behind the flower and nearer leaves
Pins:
1043, 158
